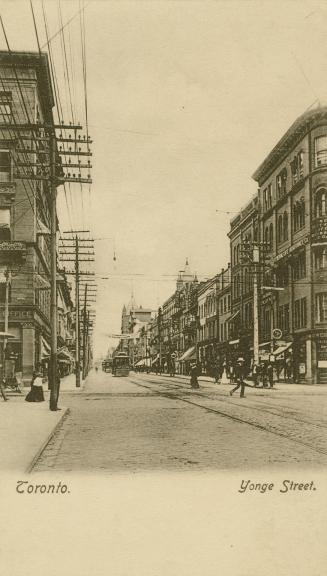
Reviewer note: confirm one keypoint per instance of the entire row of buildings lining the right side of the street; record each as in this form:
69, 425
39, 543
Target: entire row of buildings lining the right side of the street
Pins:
287, 220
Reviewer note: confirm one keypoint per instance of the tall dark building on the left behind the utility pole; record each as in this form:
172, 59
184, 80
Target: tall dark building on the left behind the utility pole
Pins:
25, 98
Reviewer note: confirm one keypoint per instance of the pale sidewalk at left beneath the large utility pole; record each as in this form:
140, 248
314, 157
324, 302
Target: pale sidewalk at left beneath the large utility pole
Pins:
26, 427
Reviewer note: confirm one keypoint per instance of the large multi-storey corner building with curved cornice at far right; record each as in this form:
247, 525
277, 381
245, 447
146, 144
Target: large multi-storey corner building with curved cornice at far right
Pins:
293, 223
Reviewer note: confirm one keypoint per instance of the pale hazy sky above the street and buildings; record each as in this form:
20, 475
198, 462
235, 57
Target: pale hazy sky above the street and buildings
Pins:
185, 100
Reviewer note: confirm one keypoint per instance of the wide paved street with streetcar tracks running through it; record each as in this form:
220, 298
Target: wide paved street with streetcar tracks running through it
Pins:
147, 422
